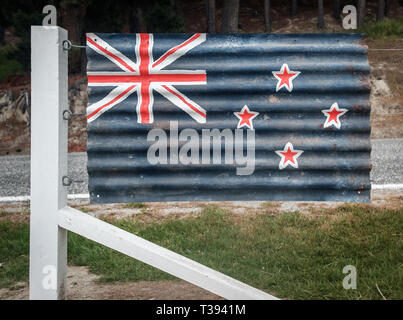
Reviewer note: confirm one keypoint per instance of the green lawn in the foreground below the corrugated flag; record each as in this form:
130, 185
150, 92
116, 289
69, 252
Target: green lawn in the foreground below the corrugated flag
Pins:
290, 255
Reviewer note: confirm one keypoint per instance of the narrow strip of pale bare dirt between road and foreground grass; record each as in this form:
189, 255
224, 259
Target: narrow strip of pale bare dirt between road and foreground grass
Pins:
157, 211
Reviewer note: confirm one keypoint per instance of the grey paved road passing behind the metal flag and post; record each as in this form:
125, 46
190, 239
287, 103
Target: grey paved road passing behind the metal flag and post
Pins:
387, 168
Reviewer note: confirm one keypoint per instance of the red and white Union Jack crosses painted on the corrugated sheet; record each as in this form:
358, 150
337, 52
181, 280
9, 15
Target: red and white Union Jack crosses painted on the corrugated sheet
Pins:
144, 76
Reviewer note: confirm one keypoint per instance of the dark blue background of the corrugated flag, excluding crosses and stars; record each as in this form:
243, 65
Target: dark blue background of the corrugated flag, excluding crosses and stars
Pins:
334, 166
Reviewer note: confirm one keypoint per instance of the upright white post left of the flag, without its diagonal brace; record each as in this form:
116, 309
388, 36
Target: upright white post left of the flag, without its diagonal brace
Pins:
48, 241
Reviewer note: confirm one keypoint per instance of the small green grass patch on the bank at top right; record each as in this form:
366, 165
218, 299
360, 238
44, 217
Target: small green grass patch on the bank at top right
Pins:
388, 28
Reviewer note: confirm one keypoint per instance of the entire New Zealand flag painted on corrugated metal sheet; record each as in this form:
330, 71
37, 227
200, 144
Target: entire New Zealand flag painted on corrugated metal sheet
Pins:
178, 117
